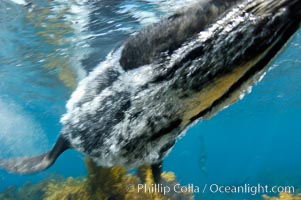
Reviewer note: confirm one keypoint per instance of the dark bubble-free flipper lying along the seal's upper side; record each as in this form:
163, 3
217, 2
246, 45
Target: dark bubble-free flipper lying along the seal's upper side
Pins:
170, 33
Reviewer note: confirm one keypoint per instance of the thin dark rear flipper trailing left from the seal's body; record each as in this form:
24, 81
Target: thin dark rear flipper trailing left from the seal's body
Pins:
28, 165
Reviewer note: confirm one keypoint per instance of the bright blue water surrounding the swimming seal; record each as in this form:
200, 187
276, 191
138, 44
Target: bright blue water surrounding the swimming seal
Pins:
45, 50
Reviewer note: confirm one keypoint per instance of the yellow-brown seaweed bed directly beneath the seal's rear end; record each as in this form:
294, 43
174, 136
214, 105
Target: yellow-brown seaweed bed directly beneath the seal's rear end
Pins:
101, 183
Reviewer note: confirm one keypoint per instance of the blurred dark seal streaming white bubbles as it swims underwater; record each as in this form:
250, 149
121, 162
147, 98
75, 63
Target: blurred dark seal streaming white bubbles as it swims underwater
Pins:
131, 109
